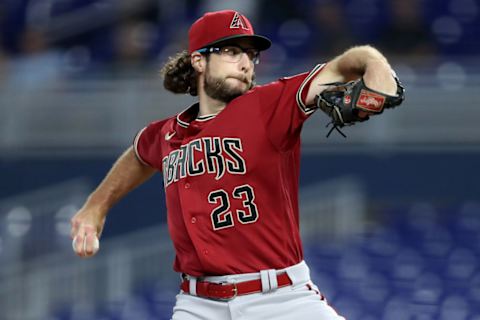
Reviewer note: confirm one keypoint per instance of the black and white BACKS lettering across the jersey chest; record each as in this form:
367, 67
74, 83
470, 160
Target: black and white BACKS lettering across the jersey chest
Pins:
209, 155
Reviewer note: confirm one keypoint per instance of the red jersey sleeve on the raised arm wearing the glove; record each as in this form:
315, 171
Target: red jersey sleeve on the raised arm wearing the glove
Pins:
284, 108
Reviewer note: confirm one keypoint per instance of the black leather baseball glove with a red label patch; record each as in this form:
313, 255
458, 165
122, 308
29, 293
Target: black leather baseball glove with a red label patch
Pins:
342, 102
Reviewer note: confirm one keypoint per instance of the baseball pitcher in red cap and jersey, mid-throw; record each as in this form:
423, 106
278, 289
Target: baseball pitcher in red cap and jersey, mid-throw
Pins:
230, 166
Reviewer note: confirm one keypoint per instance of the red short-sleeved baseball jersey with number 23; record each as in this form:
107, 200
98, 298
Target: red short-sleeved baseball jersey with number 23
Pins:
231, 179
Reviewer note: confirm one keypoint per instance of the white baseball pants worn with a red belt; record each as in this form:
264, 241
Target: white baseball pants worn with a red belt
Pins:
301, 300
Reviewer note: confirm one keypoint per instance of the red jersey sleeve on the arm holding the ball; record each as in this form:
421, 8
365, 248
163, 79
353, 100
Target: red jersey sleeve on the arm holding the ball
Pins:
147, 144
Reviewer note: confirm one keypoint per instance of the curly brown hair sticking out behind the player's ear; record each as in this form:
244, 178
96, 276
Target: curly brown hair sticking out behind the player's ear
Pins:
179, 75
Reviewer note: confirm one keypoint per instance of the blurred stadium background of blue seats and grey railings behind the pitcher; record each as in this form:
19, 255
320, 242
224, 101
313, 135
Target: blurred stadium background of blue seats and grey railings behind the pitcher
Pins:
391, 215
